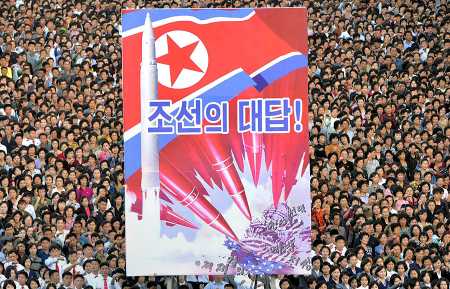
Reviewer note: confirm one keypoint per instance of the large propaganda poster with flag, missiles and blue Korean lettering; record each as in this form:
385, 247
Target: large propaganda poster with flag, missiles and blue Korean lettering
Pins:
216, 141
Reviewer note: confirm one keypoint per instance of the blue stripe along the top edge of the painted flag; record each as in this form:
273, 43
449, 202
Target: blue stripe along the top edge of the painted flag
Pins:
136, 18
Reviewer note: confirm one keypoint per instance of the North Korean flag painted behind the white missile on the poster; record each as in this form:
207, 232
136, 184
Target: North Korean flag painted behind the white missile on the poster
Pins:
204, 53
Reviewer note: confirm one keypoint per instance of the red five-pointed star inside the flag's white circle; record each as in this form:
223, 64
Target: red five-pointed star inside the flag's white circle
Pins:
178, 58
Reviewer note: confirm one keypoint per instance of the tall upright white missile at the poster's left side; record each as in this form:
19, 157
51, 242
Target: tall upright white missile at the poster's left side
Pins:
149, 142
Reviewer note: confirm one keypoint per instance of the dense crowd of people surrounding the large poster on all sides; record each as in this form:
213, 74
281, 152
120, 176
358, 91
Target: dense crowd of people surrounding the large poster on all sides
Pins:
380, 138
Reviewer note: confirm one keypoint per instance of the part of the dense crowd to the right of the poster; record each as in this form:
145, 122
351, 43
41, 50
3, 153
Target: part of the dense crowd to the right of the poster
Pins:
379, 144
